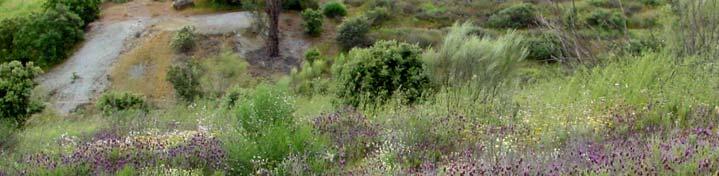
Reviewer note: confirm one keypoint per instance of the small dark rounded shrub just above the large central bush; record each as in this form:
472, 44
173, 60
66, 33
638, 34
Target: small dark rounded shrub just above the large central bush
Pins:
353, 33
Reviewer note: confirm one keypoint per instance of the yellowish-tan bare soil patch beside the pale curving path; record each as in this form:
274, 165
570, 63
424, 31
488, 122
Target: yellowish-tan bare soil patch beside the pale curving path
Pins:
144, 69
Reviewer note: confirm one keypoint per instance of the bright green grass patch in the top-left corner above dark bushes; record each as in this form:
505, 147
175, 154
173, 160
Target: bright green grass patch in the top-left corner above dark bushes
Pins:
13, 8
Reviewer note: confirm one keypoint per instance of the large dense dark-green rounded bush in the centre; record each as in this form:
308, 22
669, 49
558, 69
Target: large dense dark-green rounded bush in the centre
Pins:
376, 74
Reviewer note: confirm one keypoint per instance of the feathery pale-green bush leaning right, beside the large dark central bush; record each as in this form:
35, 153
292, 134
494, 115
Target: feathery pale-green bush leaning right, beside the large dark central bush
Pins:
483, 64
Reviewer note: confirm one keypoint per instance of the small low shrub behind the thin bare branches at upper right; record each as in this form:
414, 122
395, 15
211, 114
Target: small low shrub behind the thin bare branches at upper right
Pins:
606, 19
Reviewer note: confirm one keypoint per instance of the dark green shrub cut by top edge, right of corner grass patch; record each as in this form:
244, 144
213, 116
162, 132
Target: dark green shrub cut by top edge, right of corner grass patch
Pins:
88, 10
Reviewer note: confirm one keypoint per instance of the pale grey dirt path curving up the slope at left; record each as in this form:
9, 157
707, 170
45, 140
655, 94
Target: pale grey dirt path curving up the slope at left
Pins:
106, 41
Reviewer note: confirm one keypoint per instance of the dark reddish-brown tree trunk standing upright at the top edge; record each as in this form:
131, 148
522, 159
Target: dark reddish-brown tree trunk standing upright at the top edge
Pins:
273, 39
